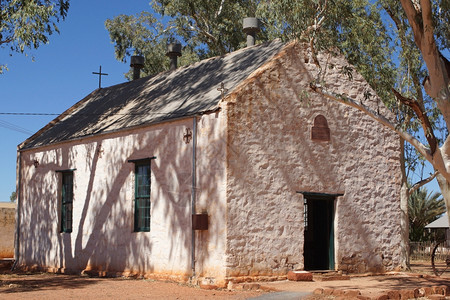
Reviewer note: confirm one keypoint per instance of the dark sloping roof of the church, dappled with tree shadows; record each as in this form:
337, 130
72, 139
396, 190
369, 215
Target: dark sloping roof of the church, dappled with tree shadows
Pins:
169, 95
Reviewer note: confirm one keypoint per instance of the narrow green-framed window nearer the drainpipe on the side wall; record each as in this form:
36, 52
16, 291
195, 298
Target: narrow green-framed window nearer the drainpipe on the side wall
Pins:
142, 196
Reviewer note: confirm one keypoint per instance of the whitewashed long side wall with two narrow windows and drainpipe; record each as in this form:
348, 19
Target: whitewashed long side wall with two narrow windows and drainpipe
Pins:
103, 238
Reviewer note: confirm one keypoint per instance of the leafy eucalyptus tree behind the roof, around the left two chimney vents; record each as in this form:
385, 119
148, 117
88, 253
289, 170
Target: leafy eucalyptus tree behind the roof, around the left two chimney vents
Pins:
205, 28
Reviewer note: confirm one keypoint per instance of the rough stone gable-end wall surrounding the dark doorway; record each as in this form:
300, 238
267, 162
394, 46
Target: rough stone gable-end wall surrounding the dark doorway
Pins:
271, 156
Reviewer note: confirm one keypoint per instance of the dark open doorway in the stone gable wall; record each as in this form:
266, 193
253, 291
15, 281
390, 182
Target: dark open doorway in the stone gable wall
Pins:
319, 231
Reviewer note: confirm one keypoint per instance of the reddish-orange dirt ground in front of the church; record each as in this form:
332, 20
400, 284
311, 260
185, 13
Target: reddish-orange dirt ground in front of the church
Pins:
51, 286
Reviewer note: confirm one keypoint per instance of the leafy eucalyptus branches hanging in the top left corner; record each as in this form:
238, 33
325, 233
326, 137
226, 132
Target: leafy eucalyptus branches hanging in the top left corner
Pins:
28, 24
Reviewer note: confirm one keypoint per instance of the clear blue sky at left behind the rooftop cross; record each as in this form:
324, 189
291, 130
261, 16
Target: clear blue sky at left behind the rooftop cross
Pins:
60, 76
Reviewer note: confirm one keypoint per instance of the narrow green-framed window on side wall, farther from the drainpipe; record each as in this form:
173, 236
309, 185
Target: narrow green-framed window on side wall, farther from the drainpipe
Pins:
66, 201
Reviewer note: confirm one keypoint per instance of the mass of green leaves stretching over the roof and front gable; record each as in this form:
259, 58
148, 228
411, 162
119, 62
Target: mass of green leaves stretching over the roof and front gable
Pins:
374, 36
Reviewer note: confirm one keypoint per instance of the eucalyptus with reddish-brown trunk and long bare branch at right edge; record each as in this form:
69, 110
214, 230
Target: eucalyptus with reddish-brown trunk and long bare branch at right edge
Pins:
421, 98
